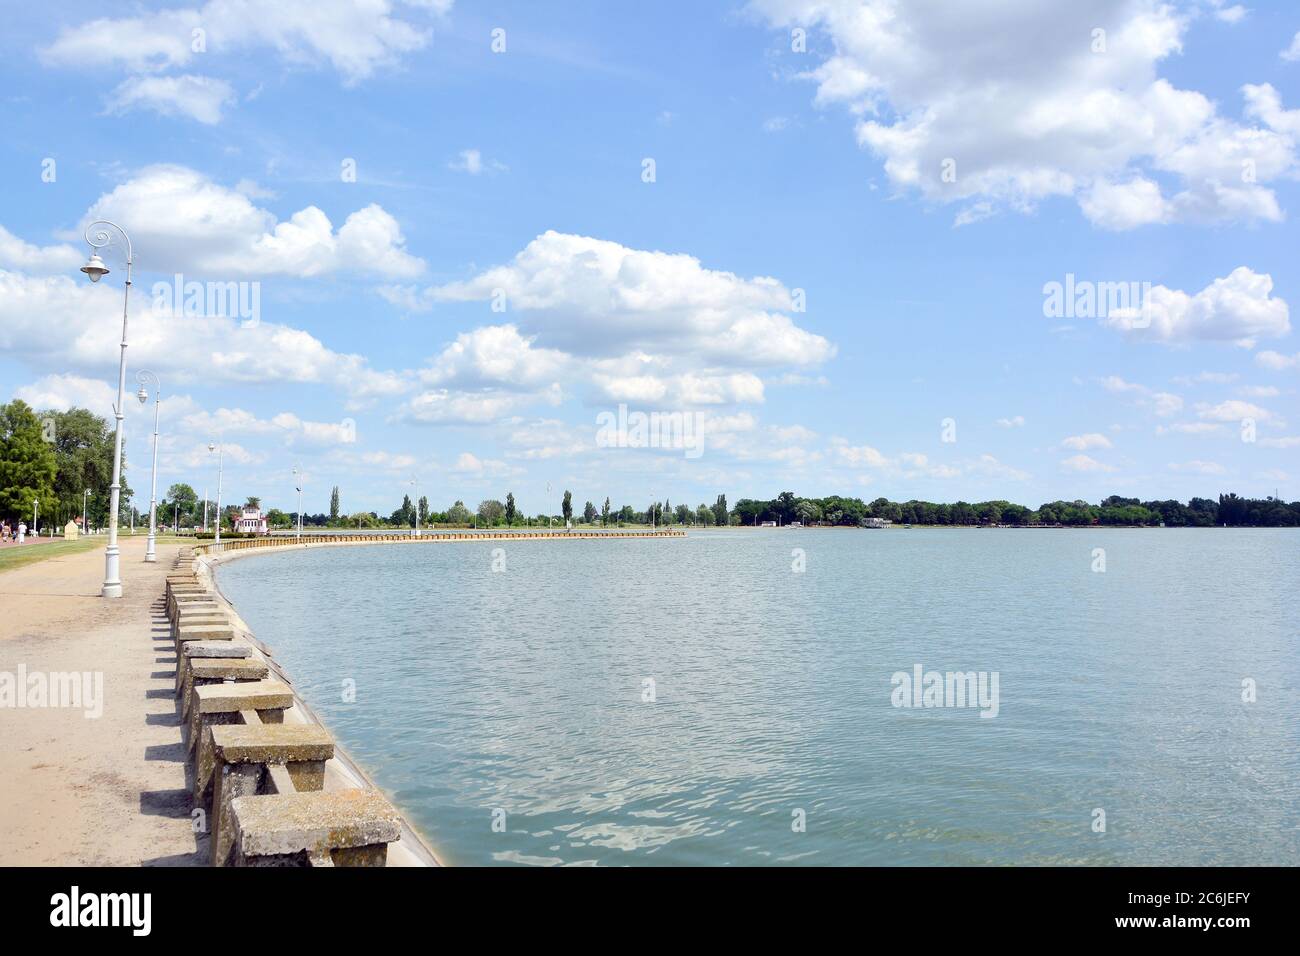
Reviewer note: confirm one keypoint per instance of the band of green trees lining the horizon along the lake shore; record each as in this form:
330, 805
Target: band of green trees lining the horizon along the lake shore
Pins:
59, 457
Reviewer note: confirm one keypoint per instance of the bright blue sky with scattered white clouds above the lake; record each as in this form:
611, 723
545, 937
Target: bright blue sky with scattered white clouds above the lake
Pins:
916, 176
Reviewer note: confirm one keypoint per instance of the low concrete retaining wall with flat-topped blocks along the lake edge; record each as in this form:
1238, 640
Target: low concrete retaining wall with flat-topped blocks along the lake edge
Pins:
272, 786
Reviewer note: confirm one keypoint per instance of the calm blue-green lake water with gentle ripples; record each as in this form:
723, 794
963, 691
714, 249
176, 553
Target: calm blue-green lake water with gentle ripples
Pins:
509, 713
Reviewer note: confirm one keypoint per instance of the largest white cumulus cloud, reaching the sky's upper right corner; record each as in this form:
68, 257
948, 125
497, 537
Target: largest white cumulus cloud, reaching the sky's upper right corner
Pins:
1007, 105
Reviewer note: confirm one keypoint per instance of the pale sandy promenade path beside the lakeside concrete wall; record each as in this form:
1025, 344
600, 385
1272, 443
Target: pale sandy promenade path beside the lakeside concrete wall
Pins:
114, 790
